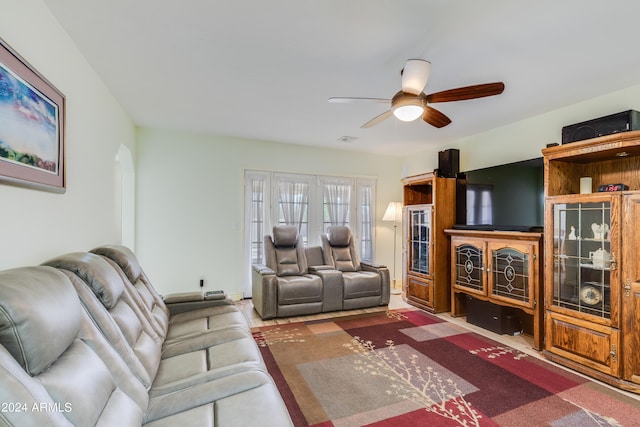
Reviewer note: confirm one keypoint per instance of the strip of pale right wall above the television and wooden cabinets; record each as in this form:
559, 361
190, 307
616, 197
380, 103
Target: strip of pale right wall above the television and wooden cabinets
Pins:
525, 139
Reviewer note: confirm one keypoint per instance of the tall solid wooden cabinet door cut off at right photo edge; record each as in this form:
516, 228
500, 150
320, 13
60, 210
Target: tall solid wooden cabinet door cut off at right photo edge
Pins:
630, 292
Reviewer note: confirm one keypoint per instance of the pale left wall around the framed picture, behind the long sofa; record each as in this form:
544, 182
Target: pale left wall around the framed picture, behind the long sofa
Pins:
37, 225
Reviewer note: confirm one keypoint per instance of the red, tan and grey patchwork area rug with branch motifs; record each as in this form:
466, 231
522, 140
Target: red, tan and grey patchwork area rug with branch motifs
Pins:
409, 368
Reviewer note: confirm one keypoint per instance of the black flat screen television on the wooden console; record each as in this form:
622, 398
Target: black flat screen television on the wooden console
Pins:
504, 197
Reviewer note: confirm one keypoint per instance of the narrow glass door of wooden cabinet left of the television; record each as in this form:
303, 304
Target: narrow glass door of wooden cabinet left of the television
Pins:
419, 228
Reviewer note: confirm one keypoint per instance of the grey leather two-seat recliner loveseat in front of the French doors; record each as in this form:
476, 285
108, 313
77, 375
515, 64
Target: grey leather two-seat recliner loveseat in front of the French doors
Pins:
299, 280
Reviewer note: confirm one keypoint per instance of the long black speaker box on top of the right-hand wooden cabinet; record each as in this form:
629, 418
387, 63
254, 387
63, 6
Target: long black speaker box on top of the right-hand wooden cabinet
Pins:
607, 125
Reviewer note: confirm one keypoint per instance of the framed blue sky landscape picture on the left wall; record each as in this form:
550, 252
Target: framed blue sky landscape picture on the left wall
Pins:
31, 126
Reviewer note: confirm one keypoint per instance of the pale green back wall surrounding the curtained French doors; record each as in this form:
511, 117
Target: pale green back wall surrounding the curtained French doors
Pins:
190, 201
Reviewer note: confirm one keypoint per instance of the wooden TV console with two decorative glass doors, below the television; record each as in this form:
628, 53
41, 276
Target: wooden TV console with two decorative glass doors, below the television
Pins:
501, 267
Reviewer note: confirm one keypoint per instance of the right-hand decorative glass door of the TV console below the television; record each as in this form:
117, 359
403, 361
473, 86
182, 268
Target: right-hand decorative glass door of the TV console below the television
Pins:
511, 272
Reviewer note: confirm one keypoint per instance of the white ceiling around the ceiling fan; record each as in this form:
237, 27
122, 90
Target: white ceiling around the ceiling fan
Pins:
264, 69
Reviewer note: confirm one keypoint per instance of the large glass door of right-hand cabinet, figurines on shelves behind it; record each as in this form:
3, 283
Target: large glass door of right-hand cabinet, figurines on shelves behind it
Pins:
583, 257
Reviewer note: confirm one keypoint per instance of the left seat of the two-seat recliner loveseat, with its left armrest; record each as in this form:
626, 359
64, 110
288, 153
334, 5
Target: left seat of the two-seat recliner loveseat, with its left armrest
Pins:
283, 287
